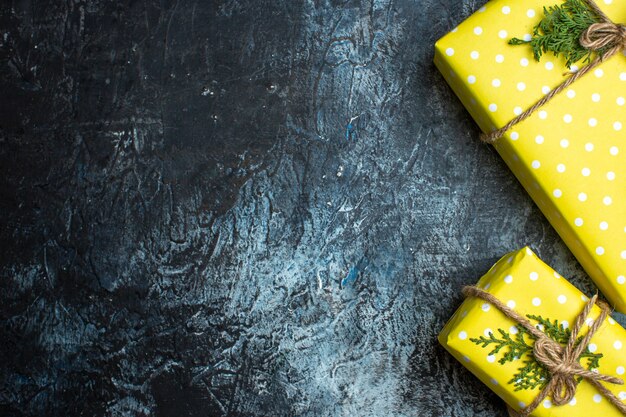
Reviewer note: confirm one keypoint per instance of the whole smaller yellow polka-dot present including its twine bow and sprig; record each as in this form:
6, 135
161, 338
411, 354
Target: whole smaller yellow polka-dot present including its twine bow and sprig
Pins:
505, 355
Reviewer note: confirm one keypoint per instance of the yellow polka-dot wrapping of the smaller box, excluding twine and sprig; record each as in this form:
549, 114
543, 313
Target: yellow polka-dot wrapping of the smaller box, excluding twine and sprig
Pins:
530, 287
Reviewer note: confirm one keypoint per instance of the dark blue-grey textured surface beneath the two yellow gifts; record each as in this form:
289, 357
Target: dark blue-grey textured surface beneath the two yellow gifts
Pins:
246, 208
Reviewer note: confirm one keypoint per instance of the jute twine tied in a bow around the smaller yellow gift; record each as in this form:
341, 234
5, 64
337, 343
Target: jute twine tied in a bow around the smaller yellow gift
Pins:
560, 361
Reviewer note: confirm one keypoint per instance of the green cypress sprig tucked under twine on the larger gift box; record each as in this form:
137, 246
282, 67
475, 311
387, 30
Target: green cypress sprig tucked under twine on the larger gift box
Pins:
560, 30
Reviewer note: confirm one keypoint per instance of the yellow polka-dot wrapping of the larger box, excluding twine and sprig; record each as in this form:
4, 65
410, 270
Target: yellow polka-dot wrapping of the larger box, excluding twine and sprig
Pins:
571, 154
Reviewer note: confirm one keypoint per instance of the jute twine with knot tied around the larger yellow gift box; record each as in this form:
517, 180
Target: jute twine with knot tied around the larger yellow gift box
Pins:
597, 37
